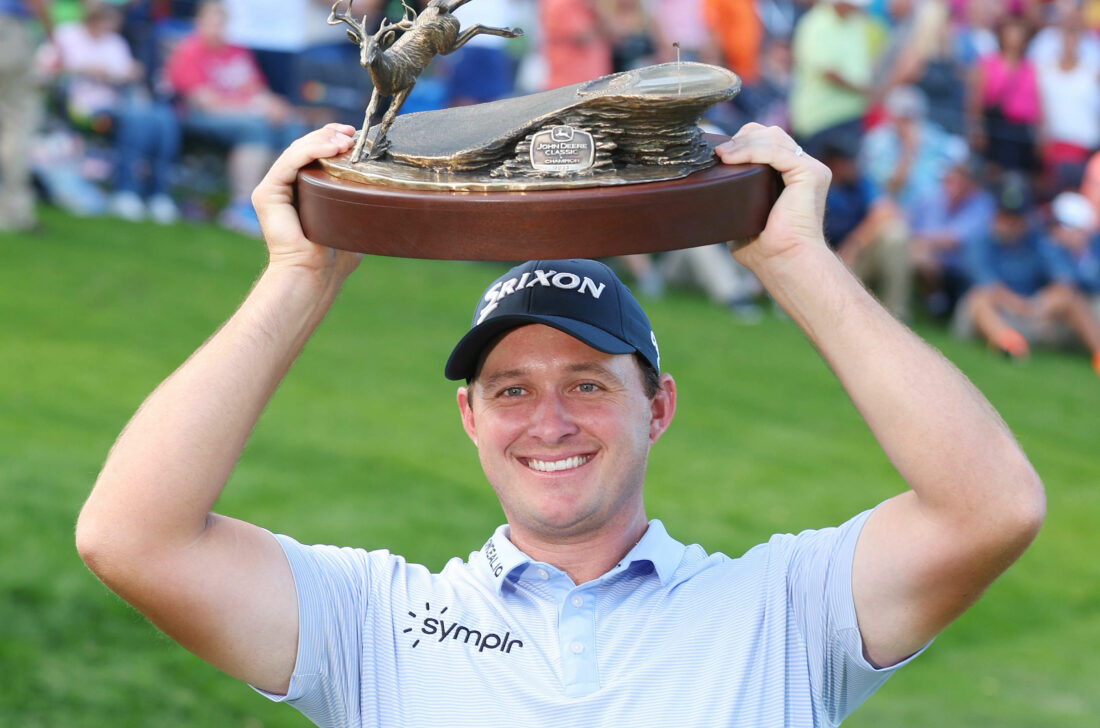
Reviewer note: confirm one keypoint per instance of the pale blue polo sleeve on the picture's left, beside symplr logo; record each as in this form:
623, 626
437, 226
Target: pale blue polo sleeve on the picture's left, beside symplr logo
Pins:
333, 587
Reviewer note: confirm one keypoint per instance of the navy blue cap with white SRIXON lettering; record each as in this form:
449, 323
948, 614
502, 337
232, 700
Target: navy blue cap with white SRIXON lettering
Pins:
584, 299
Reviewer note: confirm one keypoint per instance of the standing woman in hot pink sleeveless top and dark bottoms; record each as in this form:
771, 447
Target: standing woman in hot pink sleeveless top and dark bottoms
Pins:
1005, 105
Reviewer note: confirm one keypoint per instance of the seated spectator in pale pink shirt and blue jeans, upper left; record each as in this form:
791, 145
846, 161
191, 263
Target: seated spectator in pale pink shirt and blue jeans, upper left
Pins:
105, 82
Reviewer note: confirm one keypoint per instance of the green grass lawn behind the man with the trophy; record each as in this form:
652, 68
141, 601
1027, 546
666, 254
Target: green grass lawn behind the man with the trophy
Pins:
362, 447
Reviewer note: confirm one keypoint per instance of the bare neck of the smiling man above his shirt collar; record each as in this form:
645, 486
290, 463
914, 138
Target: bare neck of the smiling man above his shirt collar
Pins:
585, 557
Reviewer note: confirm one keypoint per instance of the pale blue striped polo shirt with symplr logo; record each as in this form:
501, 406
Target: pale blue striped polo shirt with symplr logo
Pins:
669, 637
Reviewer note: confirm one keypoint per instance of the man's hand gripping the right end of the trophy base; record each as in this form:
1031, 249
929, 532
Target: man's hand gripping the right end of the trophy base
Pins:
796, 219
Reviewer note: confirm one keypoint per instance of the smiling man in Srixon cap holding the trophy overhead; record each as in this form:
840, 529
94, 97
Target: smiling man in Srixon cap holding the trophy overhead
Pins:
579, 611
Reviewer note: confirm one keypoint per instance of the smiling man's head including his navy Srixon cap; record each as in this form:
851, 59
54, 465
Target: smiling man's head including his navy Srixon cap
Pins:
557, 401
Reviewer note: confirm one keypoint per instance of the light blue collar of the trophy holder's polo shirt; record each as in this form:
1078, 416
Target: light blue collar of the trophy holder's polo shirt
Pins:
501, 559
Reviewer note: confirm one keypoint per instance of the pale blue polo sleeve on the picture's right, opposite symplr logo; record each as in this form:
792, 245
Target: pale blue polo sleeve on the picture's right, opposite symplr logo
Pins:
823, 608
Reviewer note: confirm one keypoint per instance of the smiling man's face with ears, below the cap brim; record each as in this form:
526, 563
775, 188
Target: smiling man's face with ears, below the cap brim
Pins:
564, 433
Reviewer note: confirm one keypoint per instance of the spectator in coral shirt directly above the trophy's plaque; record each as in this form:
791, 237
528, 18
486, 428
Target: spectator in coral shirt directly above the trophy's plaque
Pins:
576, 42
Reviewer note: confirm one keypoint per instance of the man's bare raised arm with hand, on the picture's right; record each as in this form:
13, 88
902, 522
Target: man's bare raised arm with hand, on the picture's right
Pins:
925, 557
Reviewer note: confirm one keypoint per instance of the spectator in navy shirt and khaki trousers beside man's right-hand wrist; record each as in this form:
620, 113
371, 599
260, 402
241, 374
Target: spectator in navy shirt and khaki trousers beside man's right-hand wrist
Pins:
866, 230
